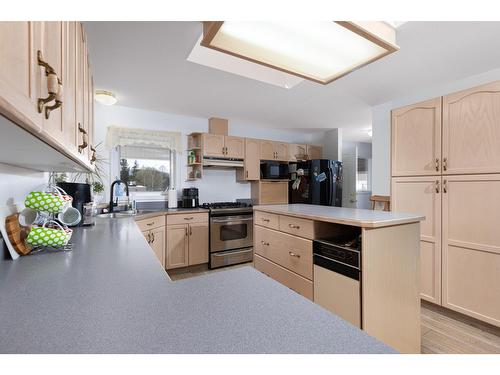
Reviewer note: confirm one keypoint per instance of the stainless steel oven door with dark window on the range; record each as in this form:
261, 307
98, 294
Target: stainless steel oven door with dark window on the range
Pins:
230, 232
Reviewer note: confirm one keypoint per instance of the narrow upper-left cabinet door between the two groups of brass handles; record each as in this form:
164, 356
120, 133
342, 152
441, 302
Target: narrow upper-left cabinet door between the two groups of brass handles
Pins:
69, 79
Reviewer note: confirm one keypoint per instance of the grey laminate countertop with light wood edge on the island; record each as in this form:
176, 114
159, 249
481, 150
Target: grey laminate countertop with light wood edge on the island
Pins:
342, 215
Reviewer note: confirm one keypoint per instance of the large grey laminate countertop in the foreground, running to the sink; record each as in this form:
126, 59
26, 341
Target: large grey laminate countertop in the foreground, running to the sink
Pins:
111, 295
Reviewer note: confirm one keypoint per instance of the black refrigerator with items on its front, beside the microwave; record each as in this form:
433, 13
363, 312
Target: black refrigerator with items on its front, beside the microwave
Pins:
316, 182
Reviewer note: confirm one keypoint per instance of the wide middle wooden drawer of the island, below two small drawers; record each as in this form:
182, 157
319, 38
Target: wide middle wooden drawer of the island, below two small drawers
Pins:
288, 251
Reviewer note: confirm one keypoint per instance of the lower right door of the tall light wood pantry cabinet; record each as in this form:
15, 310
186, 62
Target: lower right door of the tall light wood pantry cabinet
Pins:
471, 245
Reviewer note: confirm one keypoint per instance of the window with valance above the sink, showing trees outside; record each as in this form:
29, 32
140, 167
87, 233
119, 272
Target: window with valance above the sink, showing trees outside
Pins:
146, 169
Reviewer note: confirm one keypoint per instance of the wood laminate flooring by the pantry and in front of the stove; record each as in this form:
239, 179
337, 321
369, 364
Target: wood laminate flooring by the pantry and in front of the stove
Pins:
443, 331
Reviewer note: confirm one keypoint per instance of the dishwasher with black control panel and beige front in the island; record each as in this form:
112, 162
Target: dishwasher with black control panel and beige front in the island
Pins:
337, 277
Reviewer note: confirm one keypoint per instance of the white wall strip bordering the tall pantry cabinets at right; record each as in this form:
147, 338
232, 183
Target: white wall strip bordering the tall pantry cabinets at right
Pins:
381, 118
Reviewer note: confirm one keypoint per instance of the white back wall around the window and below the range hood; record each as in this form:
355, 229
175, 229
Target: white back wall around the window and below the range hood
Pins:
216, 184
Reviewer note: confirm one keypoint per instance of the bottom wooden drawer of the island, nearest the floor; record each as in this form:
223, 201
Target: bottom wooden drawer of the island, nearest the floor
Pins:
284, 276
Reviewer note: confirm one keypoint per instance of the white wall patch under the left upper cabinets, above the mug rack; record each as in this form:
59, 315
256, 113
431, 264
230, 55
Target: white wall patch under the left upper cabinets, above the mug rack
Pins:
16, 183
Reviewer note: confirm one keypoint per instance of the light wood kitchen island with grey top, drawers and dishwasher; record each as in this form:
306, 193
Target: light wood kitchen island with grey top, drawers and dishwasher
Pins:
376, 286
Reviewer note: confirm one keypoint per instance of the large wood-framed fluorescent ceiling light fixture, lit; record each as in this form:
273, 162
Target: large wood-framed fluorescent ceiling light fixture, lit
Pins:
318, 51
